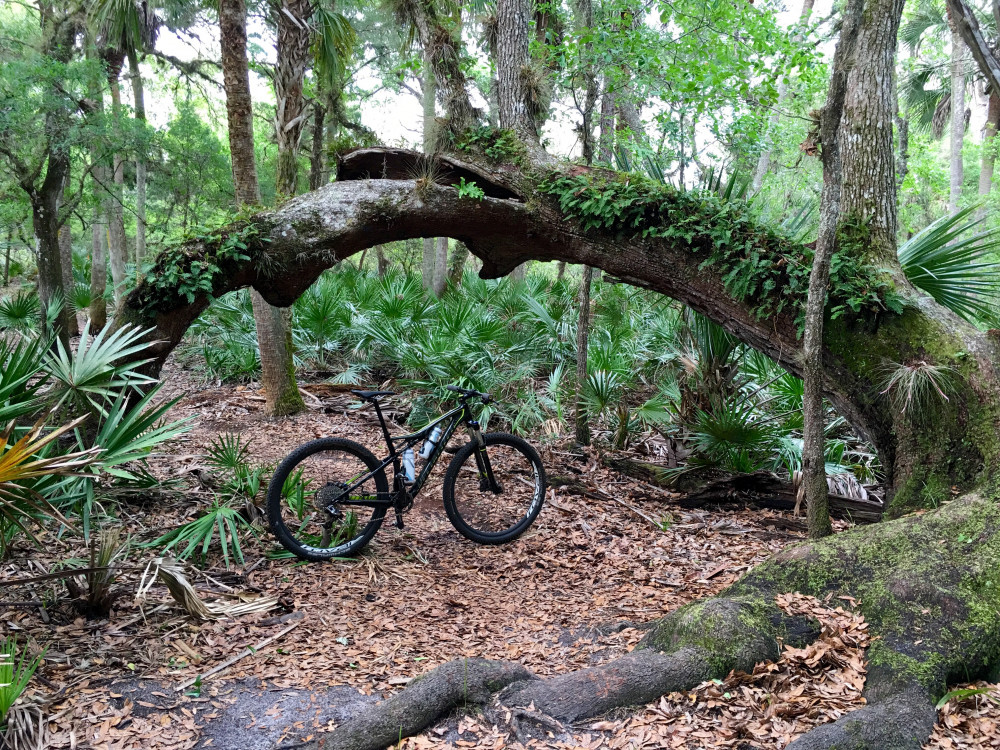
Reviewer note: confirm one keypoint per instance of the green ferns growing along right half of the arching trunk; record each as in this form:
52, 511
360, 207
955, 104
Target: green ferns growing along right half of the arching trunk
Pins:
758, 266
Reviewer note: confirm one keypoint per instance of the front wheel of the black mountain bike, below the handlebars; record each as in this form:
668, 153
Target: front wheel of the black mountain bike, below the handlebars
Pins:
490, 513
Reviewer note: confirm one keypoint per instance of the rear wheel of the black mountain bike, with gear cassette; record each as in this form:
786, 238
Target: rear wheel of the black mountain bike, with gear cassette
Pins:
309, 499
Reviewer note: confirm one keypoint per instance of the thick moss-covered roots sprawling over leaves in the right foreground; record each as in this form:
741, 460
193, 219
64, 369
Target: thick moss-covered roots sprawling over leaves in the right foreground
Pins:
928, 586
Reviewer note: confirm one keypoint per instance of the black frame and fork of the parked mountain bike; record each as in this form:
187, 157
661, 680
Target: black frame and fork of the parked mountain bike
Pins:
460, 414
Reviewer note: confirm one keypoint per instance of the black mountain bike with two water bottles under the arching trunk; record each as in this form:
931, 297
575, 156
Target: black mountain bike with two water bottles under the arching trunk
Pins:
328, 497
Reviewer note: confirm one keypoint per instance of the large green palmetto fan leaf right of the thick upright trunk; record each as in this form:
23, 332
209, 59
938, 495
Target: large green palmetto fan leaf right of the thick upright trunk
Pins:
955, 266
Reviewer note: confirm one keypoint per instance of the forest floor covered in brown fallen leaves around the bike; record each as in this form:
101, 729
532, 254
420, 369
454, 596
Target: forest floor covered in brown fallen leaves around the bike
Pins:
574, 591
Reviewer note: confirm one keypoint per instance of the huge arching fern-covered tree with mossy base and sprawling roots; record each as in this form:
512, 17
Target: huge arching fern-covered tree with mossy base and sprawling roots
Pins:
927, 583
